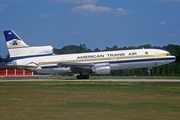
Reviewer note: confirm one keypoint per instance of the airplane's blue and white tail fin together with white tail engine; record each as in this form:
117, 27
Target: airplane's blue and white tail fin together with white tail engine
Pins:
18, 48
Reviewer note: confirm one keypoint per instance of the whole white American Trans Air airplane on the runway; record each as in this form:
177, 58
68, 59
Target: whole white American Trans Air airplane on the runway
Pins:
41, 59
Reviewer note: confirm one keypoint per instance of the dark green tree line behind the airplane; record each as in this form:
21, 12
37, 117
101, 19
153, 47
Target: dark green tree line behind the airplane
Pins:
172, 69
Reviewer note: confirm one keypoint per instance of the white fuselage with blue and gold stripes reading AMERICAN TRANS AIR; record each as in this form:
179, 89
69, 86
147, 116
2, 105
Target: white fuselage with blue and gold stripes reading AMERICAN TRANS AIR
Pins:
121, 59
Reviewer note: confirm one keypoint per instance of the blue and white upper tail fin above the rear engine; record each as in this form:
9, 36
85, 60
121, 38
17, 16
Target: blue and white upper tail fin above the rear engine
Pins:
13, 40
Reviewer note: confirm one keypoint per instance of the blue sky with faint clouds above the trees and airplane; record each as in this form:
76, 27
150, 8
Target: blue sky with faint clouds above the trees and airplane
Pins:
95, 23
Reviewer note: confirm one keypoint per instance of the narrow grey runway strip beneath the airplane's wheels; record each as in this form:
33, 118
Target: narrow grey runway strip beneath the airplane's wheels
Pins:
93, 80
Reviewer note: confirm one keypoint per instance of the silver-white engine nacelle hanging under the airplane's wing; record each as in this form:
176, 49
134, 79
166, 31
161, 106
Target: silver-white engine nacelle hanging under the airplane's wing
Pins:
101, 70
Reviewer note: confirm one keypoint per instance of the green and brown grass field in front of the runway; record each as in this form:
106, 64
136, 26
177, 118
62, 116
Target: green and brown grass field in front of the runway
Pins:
89, 101
